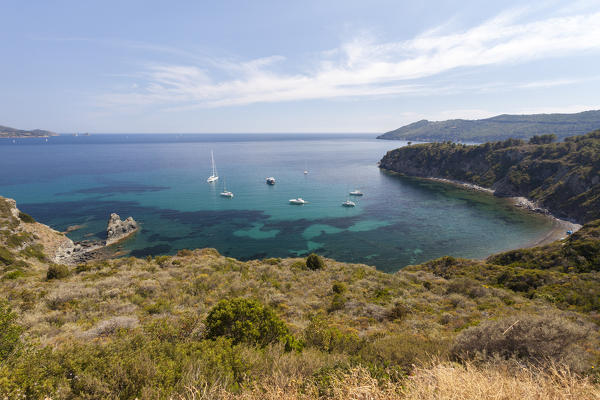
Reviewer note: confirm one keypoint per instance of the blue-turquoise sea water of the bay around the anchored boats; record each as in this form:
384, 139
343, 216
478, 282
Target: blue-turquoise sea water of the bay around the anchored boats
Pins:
160, 180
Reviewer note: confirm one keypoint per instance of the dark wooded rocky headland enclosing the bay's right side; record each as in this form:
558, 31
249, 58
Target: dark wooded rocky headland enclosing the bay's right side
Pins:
563, 178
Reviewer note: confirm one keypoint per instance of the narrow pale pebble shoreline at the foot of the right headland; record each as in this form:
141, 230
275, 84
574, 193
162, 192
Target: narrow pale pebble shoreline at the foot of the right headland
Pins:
559, 226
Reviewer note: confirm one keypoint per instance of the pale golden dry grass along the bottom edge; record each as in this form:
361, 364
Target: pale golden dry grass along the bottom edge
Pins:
443, 381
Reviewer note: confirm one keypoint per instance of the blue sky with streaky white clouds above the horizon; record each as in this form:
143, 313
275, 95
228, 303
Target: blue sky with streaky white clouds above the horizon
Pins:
145, 66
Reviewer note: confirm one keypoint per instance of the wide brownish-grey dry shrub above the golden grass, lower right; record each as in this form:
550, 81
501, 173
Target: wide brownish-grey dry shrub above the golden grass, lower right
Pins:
530, 338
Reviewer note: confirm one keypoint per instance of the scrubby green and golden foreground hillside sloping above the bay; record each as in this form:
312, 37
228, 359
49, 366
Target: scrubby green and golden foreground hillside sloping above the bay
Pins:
199, 325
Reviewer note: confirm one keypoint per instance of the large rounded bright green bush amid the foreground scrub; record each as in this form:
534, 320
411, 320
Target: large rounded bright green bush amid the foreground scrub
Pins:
244, 320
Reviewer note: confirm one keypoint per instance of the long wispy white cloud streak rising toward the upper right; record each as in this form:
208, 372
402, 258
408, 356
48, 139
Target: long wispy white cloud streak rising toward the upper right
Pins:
364, 67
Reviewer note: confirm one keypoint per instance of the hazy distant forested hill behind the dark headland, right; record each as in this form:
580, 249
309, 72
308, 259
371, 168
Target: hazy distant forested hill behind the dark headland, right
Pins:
498, 128
